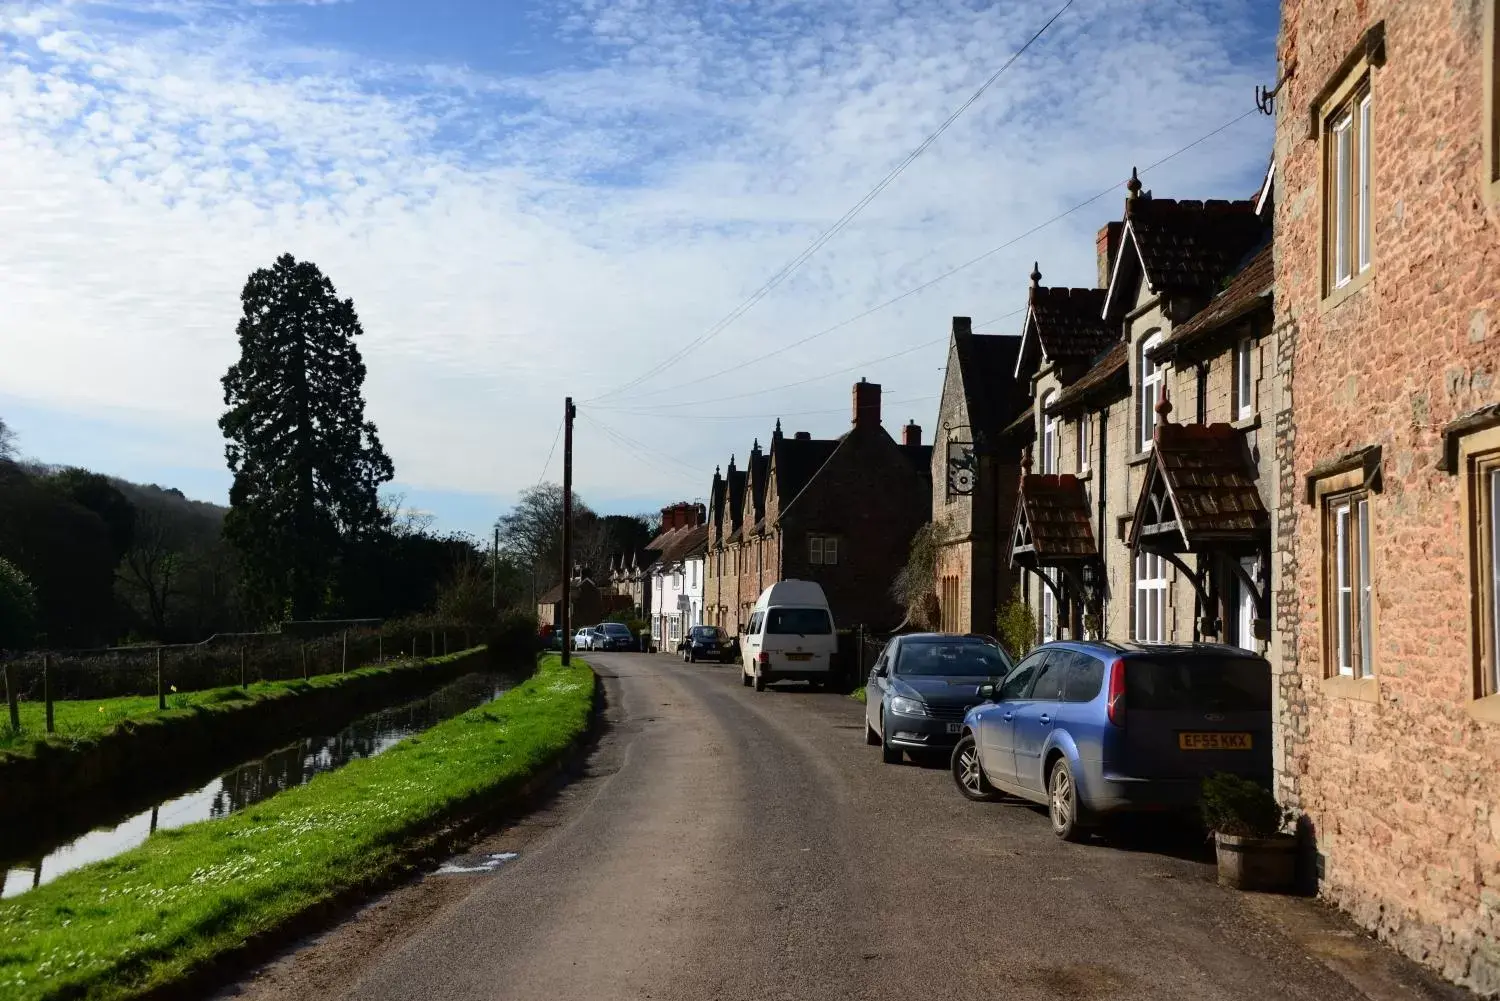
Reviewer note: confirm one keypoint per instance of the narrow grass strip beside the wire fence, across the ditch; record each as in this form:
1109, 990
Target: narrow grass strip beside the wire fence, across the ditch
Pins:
89, 720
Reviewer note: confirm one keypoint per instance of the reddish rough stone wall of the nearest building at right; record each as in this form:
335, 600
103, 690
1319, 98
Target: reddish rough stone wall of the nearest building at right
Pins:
1403, 792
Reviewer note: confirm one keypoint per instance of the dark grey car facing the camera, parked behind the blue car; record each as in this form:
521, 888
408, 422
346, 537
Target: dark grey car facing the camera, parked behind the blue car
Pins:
922, 687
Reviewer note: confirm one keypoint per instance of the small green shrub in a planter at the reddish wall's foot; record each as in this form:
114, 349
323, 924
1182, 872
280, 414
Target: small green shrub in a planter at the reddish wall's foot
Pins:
1247, 822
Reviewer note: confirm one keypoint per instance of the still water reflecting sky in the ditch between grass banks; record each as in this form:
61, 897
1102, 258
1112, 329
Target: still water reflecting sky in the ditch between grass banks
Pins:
257, 780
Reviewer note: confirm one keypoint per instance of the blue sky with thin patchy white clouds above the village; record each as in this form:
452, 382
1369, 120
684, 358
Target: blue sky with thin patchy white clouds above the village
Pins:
538, 199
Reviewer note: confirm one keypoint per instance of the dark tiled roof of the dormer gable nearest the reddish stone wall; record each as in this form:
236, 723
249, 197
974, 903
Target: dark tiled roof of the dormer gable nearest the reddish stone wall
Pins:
1193, 245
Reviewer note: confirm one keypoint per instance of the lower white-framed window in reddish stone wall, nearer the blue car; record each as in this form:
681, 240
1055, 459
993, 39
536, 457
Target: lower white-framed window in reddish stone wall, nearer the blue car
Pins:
1348, 559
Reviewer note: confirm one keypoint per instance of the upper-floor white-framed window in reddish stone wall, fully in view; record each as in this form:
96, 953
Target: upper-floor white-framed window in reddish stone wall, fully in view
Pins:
1348, 134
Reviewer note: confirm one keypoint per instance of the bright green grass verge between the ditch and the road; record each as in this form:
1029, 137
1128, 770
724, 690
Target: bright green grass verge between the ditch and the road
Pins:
151, 916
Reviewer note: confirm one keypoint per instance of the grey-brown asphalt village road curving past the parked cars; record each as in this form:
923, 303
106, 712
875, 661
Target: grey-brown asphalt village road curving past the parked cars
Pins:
728, 844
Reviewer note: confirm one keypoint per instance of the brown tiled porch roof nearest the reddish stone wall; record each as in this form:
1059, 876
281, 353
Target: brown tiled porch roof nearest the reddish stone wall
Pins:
1208, 475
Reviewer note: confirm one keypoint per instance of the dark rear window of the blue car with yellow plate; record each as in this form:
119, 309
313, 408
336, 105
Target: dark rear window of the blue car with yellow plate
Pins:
1237, 685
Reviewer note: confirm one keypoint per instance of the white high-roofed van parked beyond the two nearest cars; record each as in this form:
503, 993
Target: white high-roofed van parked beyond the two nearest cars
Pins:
790, 637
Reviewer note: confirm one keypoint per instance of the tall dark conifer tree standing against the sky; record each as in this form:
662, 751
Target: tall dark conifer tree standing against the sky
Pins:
307, 464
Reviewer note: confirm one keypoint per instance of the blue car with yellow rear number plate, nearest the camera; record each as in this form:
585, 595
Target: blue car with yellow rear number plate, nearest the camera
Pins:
1100, 729
